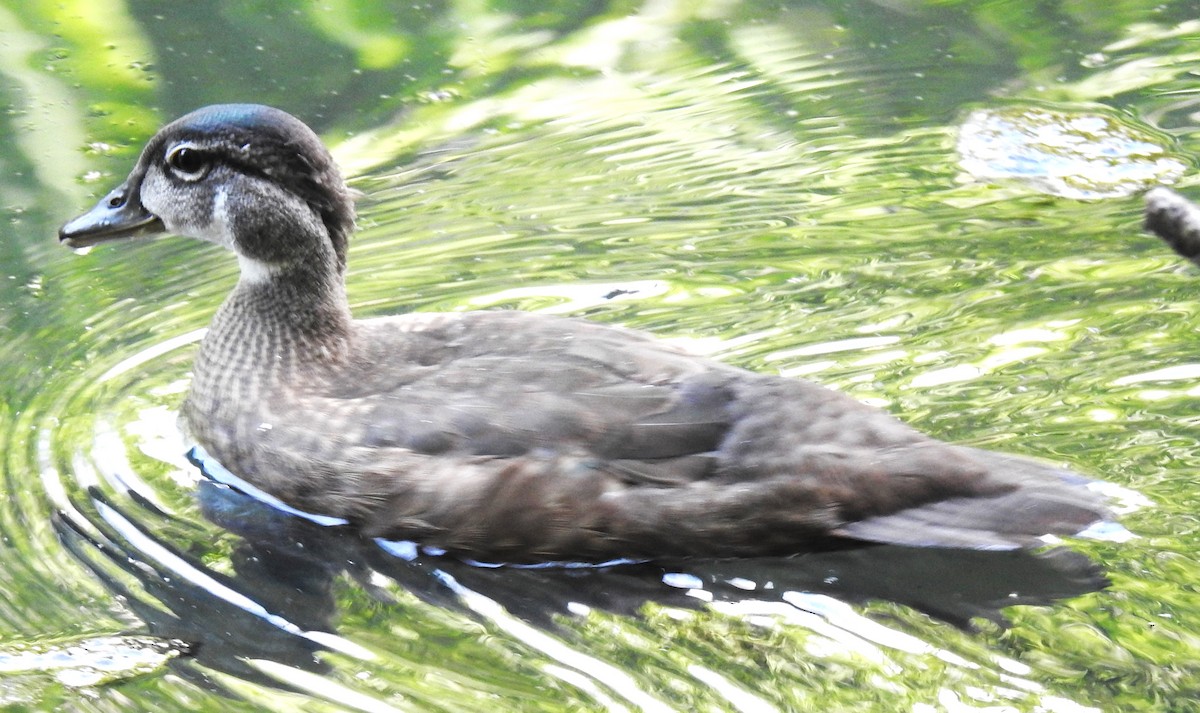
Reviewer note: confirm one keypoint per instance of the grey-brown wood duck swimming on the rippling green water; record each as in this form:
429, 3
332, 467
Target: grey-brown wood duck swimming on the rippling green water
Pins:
515, 436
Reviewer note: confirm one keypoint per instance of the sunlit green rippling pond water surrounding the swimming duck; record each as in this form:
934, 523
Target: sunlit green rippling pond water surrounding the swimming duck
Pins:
779, 185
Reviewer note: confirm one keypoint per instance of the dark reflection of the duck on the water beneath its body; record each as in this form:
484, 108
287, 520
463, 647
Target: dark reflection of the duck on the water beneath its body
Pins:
280, 603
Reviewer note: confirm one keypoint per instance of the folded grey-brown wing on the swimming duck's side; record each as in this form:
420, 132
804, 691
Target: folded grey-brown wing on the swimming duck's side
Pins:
513, 384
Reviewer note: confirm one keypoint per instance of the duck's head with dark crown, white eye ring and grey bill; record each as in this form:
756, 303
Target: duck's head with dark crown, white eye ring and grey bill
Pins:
248, 177
